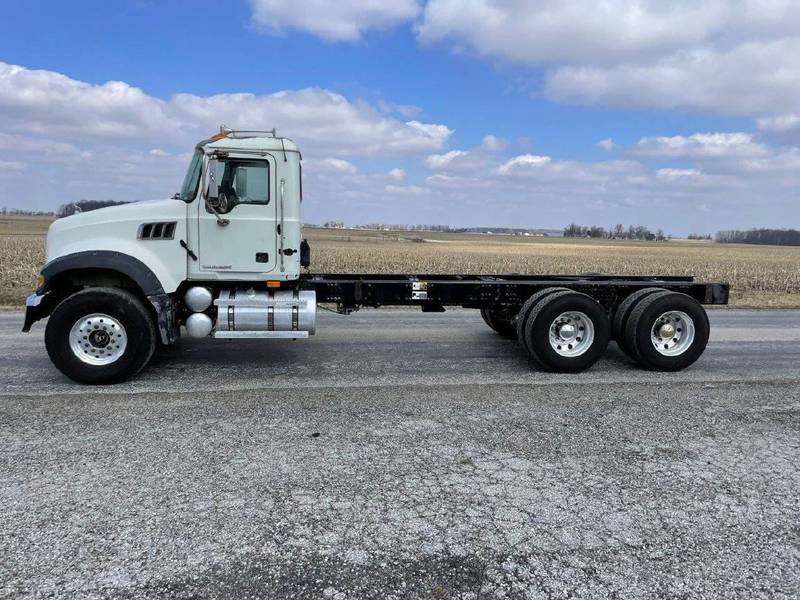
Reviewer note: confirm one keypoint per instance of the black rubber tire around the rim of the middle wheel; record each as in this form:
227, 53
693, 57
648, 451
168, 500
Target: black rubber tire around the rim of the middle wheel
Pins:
537, 331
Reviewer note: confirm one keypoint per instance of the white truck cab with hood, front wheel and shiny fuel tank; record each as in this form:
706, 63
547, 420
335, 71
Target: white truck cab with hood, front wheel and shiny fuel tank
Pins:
229, 243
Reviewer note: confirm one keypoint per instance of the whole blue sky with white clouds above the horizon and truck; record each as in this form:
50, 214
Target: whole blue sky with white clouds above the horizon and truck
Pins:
549, 81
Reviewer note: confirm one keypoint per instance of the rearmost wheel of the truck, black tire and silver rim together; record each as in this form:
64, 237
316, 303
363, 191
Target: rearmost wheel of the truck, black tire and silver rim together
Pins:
667, 331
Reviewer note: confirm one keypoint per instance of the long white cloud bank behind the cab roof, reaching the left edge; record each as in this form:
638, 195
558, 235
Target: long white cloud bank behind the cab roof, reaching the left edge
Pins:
51, 104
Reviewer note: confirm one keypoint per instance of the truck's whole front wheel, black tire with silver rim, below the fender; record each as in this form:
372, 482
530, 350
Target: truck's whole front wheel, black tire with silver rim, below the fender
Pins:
100, 336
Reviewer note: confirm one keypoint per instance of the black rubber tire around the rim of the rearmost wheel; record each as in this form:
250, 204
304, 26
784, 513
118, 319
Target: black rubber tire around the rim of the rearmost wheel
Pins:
642, 319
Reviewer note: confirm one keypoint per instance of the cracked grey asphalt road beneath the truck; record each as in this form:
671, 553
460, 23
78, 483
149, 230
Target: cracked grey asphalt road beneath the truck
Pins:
404, 455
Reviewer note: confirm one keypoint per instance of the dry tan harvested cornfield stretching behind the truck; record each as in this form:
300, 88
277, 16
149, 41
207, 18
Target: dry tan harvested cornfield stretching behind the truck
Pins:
759, 275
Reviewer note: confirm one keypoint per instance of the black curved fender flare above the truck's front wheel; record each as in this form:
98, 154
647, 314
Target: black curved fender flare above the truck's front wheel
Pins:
104, 259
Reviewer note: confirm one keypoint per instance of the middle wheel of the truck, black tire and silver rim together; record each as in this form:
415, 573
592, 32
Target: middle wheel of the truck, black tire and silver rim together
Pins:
567, 332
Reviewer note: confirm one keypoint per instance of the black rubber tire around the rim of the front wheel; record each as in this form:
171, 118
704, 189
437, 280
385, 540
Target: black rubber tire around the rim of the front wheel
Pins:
117, 303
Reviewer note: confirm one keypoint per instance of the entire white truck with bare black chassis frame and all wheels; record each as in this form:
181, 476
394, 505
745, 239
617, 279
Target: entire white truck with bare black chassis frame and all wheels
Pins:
225, 258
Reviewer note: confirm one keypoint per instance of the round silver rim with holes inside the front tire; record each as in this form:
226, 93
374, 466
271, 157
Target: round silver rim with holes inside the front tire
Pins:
98, 339
